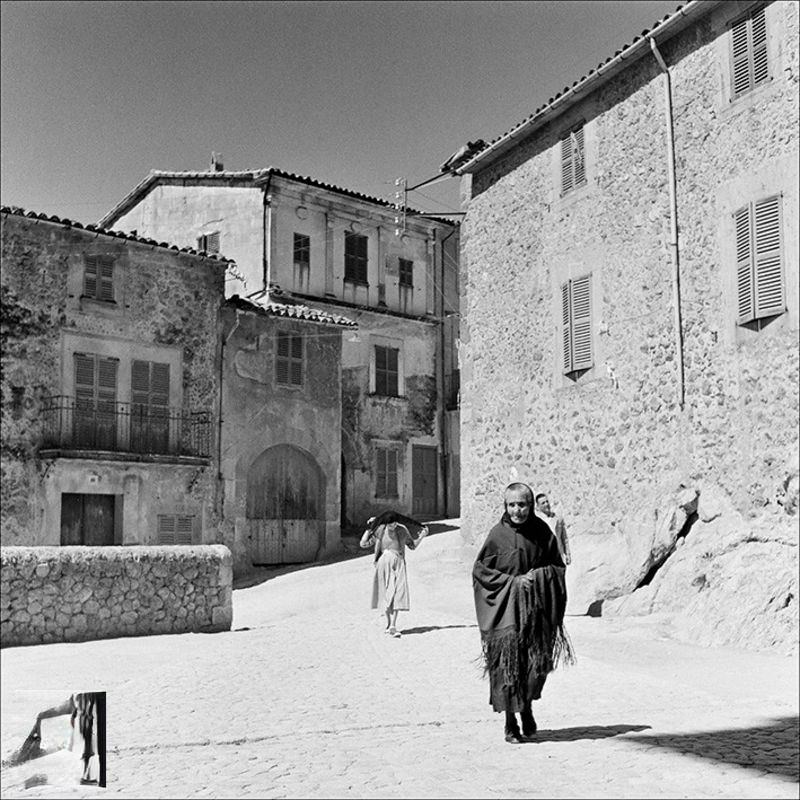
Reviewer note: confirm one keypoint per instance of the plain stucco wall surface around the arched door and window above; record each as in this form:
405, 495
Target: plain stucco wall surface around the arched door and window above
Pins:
259, 414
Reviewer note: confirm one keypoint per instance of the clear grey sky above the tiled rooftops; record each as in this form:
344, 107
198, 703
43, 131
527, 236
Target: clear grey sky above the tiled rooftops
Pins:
96, 94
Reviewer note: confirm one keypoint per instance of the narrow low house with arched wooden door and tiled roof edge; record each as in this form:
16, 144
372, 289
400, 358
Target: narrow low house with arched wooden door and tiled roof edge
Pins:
281, 430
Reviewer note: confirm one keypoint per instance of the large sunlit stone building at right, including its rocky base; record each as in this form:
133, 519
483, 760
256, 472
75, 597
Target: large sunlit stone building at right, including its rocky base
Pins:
630, 335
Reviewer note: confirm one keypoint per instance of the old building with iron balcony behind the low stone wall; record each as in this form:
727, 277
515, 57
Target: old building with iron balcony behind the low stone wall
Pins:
110, 378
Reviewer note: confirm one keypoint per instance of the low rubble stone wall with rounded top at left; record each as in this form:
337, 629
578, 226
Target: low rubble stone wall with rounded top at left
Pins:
74, 594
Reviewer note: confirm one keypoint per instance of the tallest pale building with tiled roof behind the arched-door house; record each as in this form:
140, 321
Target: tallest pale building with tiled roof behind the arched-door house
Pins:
337, 251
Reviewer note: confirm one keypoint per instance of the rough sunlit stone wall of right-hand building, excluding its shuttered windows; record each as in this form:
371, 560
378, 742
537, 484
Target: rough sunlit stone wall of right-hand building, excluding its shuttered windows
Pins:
613, 446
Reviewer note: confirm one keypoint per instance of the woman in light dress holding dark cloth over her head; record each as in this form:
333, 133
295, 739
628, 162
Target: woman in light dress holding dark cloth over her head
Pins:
390, 534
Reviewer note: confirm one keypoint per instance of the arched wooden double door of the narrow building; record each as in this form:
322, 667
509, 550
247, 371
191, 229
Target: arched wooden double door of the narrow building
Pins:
285, 506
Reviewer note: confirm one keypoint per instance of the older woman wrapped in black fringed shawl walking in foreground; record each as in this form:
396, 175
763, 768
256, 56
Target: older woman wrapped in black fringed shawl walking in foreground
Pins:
520, 599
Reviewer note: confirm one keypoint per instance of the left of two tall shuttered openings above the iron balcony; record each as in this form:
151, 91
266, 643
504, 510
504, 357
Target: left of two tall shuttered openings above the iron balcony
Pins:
95, 418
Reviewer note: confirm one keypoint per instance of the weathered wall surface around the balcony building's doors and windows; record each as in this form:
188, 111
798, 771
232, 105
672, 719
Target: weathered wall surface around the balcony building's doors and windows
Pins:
165, 308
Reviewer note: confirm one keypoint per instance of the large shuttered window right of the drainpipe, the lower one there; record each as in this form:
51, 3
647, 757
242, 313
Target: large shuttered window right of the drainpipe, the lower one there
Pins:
759, 262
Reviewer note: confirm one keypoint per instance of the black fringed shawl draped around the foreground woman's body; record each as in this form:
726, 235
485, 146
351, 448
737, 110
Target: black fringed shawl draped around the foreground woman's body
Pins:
521, 626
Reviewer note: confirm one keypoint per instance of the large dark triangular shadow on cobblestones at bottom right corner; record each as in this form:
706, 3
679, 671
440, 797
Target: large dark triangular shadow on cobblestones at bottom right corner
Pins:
772, 747
